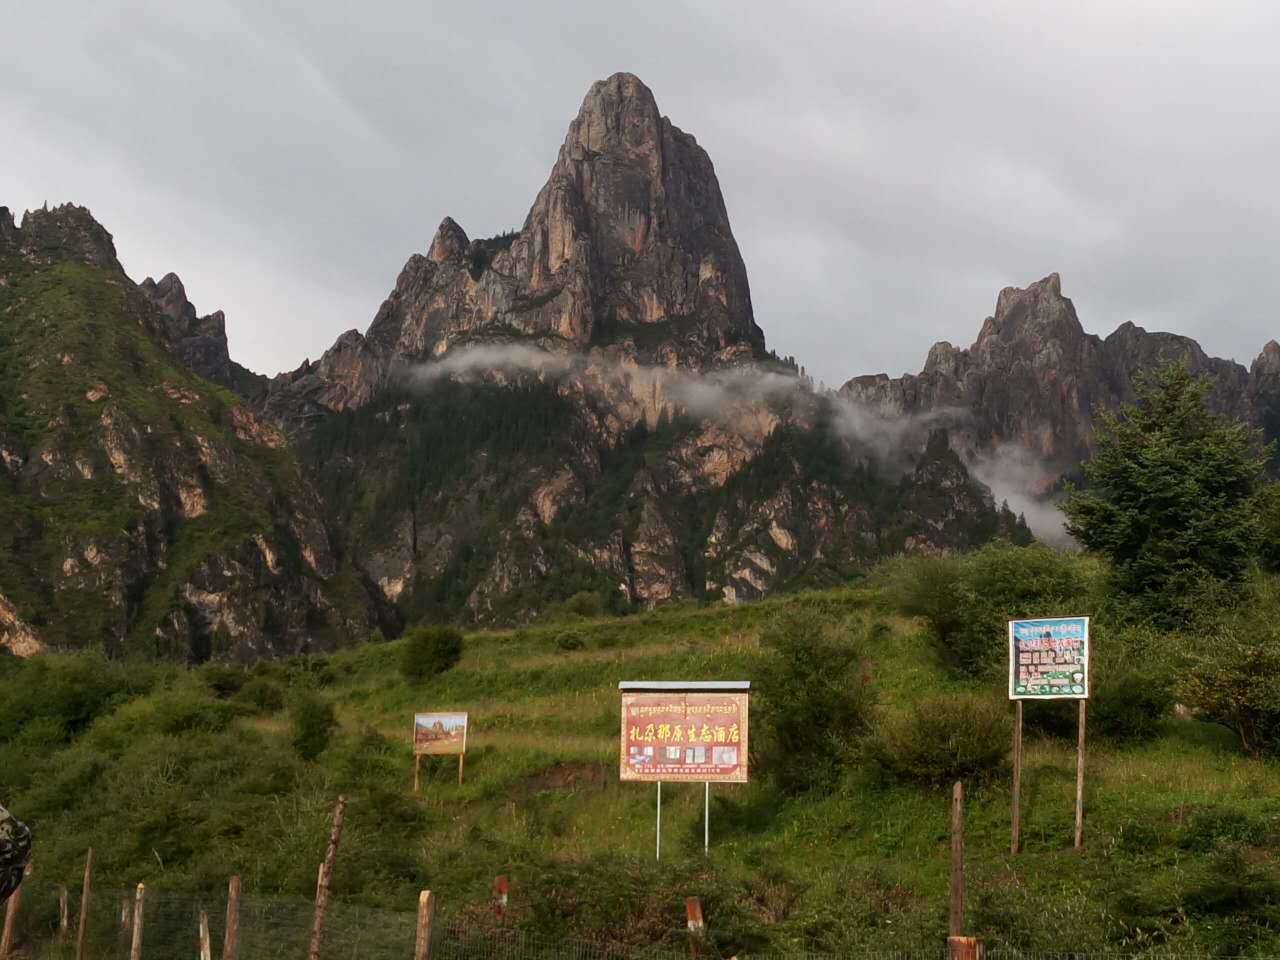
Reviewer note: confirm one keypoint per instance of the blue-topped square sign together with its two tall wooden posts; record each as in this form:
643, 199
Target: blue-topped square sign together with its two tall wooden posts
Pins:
1049, 660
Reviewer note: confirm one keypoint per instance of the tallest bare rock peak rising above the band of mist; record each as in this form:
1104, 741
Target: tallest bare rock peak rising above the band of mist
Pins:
628, 245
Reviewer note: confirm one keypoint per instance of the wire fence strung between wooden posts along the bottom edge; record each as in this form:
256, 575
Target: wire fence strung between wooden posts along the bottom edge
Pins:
275, 929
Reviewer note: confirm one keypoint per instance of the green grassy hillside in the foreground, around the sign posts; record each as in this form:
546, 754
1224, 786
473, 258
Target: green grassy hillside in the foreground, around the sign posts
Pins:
182, 778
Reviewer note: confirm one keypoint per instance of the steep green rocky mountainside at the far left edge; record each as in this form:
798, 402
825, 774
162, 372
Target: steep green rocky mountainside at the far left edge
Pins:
129, 486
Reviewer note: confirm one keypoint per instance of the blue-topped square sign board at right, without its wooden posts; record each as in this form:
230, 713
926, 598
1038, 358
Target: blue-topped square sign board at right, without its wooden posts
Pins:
1049, 660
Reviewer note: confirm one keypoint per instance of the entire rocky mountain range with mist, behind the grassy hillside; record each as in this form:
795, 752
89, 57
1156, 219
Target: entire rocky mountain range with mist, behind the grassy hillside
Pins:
583, 408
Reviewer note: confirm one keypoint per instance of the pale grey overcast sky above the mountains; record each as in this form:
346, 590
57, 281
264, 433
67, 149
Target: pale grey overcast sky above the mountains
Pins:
888, 167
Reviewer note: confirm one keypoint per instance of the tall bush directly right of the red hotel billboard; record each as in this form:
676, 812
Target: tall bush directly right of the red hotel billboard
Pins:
815, 701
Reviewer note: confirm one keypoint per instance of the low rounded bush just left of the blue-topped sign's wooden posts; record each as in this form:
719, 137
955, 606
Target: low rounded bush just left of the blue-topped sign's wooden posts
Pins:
945, 738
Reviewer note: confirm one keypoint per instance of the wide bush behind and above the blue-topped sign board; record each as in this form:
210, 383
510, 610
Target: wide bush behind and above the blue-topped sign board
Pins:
970, 601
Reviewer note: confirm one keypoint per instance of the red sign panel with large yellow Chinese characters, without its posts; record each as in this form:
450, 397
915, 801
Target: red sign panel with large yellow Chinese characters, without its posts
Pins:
684, 737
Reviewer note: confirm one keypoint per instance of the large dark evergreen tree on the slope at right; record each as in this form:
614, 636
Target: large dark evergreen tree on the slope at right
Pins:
1171, 496
